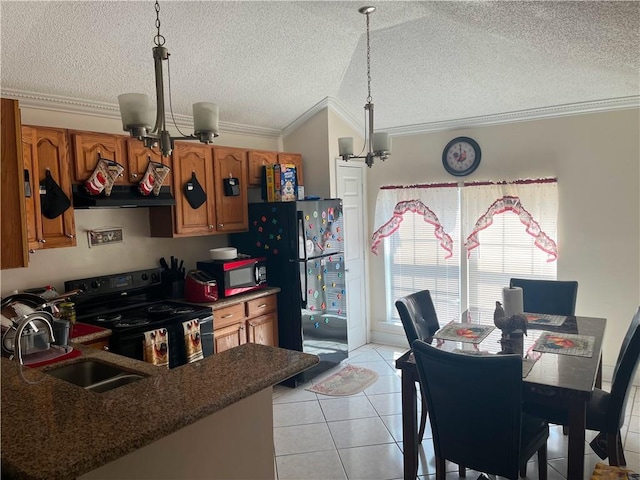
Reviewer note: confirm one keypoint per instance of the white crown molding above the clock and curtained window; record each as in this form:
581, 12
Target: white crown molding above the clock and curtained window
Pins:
520, 116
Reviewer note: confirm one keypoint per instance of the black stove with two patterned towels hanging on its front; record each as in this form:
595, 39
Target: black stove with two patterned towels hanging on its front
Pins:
130, 304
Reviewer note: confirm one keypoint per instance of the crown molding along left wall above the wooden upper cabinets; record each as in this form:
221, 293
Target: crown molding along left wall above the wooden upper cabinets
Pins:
61, 104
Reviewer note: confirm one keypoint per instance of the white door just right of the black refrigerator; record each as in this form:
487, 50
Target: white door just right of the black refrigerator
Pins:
350, 188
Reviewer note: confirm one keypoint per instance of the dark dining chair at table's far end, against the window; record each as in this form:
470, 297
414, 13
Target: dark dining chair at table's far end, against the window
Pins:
553, 297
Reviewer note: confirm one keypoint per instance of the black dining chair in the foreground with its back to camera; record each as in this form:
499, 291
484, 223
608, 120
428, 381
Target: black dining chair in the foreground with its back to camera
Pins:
475, 410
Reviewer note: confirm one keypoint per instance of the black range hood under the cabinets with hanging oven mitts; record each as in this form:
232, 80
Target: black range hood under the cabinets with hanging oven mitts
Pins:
122, 196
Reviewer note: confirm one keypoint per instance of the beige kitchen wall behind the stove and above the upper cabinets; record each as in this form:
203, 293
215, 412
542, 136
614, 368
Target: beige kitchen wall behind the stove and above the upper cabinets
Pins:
138, 251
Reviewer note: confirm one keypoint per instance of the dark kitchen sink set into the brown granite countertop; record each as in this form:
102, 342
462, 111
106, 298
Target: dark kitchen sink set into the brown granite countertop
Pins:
94, 375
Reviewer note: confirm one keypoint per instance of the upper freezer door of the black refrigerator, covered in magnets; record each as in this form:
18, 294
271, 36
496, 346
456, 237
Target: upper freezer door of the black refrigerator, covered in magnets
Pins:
320, 228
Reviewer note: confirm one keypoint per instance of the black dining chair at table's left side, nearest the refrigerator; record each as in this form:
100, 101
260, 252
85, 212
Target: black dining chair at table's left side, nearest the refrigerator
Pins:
420, 322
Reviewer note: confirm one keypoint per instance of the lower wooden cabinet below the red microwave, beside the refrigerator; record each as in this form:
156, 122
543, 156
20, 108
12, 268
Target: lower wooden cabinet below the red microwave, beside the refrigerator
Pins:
254, 321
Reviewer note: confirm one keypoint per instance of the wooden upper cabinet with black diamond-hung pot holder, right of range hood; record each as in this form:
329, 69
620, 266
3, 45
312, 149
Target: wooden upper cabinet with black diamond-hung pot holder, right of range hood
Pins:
192, 170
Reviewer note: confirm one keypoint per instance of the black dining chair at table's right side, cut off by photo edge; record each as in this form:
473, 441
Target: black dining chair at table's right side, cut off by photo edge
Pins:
605, 410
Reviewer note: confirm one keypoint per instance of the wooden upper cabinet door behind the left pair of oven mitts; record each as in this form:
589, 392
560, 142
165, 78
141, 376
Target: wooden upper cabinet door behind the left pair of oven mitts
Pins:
89, 147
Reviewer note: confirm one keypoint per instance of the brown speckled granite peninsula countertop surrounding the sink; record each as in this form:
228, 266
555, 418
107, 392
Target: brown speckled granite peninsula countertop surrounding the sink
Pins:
54, 429
